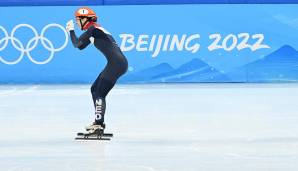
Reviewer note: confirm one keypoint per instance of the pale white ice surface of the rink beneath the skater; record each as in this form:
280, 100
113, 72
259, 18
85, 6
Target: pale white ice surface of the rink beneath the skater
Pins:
182, 127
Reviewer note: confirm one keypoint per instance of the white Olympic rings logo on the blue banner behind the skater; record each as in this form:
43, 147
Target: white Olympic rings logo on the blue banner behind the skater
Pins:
32, 43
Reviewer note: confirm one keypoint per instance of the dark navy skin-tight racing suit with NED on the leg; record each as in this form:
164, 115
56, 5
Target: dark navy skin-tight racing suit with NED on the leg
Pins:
116, 65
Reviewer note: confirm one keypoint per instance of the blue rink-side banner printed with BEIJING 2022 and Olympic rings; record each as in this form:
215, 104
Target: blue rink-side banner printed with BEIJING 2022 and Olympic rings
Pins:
174, 43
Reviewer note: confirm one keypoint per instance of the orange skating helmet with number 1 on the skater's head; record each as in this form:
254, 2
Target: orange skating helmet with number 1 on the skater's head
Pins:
85, 12
